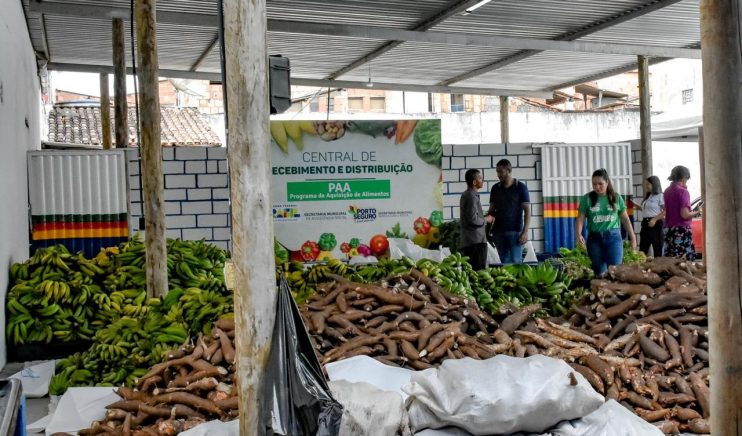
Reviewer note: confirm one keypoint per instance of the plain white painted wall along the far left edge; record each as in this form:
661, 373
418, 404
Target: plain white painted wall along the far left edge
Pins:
20, 131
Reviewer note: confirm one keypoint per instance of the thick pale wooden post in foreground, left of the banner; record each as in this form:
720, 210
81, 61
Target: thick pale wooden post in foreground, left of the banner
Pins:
248, 154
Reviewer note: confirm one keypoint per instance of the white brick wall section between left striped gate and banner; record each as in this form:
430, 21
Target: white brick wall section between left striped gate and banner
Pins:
196, 193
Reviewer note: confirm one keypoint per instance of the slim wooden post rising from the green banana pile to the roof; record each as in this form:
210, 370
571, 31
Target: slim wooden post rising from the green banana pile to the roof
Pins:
150, 149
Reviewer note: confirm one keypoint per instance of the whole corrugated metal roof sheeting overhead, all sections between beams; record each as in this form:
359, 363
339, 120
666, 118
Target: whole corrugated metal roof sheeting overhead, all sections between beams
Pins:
87, 41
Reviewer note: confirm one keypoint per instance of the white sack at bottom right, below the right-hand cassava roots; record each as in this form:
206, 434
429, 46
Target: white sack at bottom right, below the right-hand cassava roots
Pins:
611, 419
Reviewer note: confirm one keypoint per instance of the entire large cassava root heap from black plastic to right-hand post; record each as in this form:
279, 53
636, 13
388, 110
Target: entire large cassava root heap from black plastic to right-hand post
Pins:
641, 339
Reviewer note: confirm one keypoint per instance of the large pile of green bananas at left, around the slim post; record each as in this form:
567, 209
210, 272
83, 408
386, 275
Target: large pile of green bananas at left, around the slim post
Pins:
58, 296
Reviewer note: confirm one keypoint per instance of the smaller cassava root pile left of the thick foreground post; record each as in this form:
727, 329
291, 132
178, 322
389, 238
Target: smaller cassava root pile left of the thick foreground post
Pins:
196, 383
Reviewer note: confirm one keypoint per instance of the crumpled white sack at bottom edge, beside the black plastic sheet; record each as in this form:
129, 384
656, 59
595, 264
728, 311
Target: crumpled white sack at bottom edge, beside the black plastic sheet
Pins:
368, 411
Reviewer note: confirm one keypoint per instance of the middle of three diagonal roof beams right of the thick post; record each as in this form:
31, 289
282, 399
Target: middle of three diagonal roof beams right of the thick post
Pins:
596, 26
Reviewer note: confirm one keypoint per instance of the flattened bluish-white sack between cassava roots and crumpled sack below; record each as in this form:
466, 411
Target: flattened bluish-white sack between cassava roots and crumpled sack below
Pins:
369, 370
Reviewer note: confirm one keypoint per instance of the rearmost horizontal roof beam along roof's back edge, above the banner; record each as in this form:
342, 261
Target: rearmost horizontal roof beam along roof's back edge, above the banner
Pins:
320, 83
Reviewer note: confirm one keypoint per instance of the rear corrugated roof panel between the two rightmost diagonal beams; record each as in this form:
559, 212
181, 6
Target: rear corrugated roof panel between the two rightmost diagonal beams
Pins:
547, 69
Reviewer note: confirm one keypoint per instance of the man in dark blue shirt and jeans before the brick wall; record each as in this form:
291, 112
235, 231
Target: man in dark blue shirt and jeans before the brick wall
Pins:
510, 207
